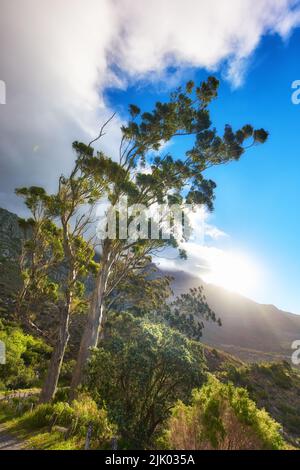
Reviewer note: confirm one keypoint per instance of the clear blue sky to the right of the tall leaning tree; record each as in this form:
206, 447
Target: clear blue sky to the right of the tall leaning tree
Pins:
257, 198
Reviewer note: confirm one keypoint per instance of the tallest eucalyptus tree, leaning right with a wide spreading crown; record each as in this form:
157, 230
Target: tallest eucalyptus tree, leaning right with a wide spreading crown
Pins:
168, 180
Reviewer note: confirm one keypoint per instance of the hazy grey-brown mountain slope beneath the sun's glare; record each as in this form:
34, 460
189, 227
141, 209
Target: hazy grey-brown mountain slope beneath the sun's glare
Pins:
250, 331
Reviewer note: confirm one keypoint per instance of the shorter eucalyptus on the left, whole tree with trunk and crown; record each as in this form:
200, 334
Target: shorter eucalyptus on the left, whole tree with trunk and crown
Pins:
59, 242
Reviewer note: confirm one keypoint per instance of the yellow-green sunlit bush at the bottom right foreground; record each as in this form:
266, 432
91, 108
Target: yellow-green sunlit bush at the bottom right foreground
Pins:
221, 417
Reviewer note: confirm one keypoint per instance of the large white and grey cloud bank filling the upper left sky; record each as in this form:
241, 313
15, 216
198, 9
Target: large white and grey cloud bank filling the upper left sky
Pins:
58, 56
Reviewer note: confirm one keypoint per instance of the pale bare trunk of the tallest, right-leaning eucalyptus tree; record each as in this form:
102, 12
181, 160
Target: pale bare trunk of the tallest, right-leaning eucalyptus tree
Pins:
91, 332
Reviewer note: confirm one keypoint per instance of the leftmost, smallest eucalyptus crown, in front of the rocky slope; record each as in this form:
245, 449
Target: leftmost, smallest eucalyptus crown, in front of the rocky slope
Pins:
41, 253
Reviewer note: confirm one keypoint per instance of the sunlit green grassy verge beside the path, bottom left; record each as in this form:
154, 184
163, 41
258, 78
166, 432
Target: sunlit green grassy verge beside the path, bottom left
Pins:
57, 426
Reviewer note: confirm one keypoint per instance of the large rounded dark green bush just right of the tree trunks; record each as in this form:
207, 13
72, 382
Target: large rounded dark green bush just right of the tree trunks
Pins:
140, 371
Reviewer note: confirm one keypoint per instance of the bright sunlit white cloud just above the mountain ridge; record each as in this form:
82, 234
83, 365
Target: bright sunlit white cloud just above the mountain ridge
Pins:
212, 260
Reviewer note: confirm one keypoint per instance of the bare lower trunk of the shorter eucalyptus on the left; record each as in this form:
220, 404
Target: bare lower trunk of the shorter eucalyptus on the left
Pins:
50, 385
